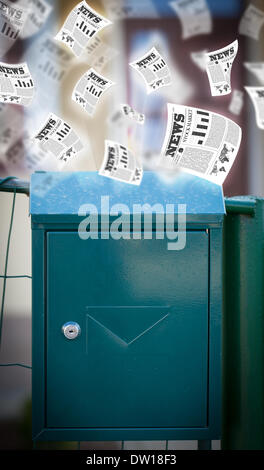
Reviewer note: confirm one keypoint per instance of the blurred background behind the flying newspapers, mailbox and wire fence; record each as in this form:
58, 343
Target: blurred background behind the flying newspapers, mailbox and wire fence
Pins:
137, 26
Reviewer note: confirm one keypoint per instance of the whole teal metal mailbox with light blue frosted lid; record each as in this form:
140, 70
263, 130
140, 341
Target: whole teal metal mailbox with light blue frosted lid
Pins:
126, 326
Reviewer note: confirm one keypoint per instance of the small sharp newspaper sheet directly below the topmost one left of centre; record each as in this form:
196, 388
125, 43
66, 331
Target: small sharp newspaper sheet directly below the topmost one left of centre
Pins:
89, 89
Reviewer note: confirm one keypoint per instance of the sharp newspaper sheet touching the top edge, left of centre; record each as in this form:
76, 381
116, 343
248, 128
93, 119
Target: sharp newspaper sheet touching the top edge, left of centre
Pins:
81, 25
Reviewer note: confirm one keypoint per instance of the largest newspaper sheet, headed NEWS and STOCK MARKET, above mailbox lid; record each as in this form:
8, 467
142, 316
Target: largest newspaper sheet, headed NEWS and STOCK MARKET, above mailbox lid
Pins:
200, 142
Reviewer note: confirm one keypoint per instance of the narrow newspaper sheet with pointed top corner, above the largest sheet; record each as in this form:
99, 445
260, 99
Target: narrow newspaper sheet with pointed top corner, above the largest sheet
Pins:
218, 66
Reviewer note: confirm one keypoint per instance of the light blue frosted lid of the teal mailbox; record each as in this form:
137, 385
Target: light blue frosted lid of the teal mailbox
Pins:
58, 196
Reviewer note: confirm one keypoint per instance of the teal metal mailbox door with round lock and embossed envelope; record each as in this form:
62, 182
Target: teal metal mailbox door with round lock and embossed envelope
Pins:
141, 359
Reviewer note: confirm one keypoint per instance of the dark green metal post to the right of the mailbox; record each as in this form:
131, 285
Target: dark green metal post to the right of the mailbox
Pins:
243, 325
